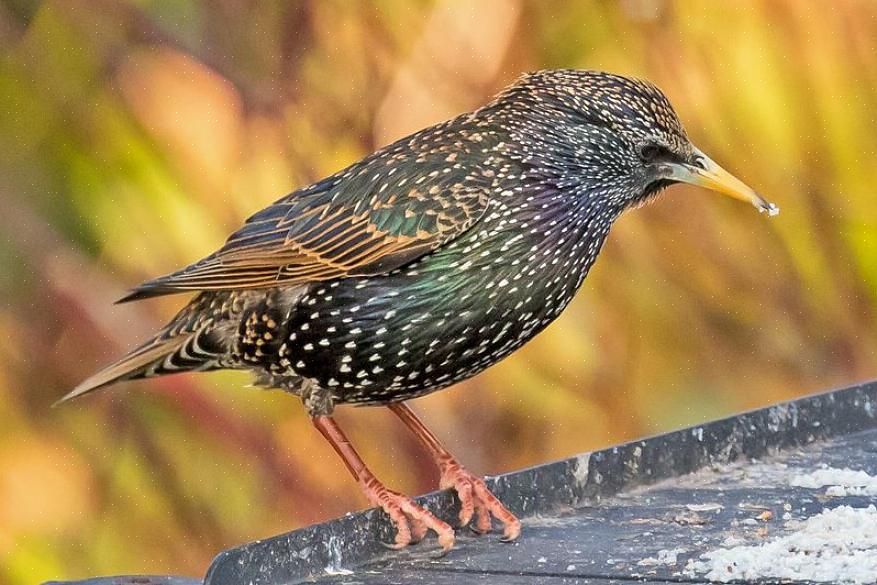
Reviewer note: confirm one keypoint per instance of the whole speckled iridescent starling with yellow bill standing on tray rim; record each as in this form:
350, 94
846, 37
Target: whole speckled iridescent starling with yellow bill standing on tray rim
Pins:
427, 262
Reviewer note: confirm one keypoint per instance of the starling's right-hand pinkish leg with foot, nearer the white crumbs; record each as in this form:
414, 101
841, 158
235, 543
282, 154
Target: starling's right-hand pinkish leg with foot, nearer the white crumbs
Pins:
474, 496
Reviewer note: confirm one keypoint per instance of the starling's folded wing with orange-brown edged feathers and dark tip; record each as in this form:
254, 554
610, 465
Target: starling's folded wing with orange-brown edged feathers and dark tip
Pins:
369, 219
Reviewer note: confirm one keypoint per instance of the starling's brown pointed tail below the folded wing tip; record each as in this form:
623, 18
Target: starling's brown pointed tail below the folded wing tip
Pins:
188, 343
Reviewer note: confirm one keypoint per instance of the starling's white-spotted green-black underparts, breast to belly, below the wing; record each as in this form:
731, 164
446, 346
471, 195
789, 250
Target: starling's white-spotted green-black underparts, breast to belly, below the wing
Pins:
447, 316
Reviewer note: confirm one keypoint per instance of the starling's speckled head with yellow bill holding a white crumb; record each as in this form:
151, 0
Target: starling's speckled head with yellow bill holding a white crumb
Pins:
611, 135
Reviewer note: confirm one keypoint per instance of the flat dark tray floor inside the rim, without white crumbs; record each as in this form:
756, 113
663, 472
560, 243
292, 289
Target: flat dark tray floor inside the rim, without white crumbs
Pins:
630, 536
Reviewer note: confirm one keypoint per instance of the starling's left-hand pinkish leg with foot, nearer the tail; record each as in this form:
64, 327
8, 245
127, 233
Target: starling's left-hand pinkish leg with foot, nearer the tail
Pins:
411, 521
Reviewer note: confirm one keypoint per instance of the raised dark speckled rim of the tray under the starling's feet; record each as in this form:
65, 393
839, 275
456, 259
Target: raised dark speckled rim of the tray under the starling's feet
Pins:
549, 489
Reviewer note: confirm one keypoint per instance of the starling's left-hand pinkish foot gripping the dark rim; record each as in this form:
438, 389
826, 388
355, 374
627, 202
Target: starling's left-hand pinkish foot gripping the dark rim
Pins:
411, 520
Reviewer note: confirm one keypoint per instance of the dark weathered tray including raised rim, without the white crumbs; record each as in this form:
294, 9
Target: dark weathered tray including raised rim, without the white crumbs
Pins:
605, 517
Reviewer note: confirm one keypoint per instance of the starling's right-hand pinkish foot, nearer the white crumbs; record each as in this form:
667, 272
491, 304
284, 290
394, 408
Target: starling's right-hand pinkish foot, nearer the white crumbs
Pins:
476, 500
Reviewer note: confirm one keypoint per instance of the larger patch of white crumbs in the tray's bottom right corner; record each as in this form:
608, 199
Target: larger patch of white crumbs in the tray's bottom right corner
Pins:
838, 545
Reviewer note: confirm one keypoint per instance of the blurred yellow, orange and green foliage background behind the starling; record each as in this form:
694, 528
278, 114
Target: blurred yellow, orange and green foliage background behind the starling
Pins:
135, 135
